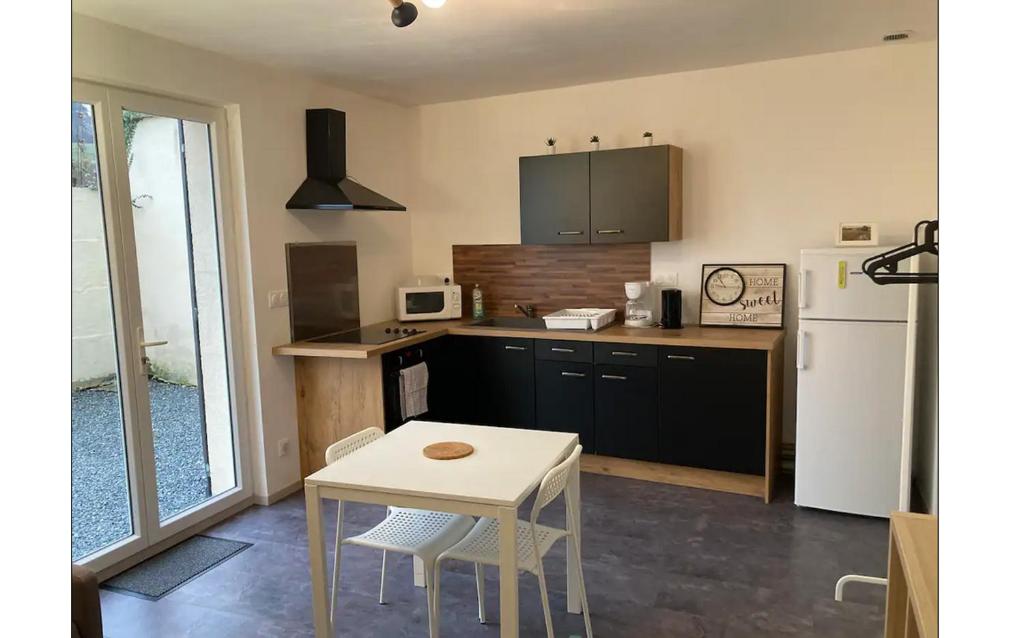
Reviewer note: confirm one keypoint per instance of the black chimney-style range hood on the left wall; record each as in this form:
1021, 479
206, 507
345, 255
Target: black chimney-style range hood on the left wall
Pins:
328, 186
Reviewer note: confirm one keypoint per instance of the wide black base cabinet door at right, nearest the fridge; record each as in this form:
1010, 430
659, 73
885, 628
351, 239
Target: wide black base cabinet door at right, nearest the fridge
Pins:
712, 409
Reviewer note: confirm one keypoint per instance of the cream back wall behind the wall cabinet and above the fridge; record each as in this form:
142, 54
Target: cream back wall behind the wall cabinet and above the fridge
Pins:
777, 154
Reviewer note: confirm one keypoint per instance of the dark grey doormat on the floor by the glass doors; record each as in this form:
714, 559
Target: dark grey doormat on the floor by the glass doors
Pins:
157, 577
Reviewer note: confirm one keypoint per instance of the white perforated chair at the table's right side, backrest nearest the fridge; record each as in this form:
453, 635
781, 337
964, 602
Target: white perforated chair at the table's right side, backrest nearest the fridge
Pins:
481, 546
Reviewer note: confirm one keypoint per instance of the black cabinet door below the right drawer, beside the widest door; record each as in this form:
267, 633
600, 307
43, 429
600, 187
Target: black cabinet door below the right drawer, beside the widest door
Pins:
626, 412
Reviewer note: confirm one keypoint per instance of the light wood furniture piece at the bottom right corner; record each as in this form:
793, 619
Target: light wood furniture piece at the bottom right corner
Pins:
917, 537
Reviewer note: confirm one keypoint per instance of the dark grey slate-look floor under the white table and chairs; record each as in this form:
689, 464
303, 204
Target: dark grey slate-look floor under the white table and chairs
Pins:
660, 562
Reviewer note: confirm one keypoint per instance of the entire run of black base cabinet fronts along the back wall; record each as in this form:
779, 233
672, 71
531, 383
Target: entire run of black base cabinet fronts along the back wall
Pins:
682, 406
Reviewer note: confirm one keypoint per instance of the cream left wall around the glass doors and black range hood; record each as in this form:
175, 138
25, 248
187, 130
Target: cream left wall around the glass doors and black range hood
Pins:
267, 115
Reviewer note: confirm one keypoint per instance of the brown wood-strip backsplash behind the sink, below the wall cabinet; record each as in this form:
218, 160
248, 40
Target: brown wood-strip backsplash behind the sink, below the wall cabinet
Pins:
550, 278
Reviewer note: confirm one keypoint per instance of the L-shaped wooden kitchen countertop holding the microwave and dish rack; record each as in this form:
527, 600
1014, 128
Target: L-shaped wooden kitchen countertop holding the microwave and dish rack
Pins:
741, 338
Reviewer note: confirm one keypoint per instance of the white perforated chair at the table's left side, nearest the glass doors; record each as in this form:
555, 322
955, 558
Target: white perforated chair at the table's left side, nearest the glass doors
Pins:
419, 533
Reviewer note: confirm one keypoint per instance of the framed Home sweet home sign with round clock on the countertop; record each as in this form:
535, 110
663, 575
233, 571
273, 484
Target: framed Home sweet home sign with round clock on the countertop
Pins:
743, 295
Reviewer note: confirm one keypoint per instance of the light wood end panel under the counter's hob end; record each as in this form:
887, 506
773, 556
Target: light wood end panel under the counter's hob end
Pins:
336, 398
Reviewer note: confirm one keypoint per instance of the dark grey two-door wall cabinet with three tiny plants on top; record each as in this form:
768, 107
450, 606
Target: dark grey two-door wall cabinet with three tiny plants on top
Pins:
606, 197
